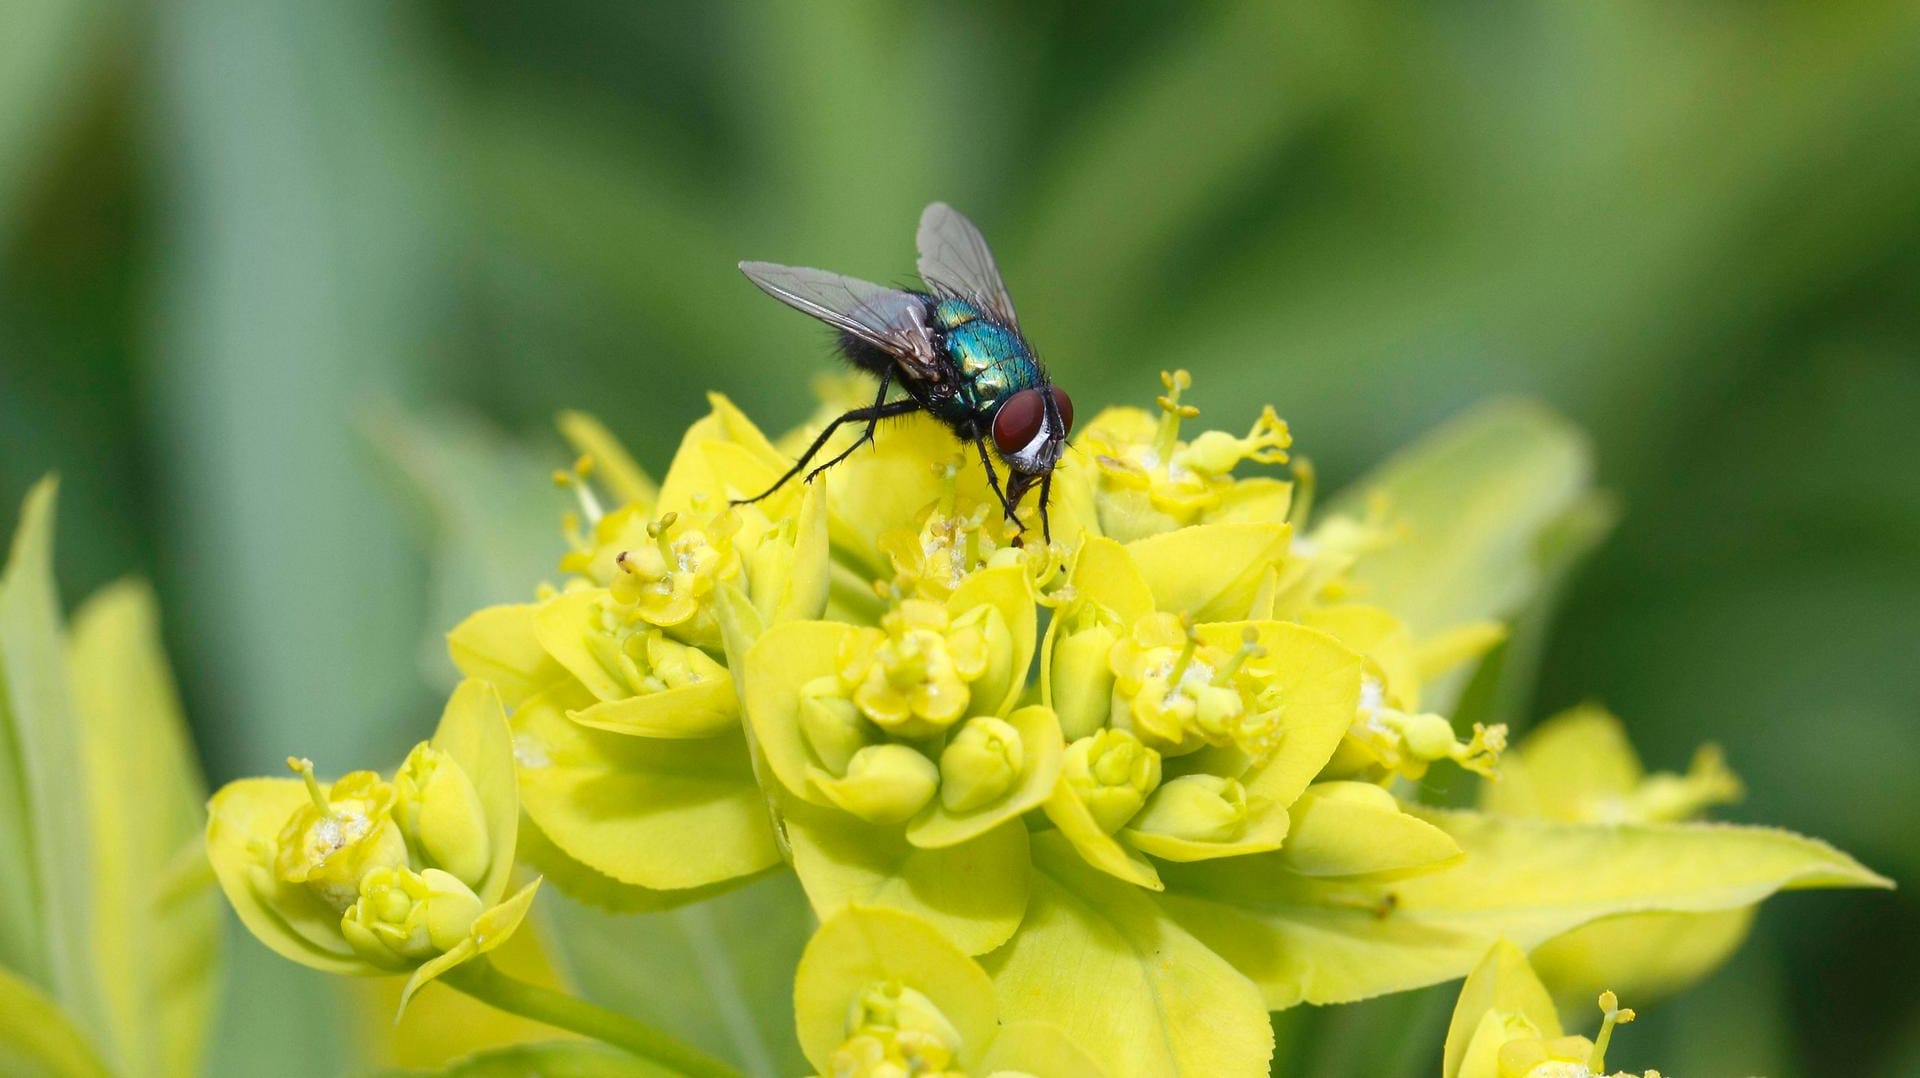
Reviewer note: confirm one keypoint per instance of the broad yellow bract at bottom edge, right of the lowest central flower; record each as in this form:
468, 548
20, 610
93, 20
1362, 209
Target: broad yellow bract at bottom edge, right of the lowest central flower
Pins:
1101, 962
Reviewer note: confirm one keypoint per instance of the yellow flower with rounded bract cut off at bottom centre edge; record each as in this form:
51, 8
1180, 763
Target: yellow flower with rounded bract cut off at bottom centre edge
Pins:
882, 994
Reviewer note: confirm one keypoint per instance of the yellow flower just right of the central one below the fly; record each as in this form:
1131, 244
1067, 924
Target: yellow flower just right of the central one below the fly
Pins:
1195, 741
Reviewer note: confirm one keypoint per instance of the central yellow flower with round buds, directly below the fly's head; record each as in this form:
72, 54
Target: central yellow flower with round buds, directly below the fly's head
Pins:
917, 723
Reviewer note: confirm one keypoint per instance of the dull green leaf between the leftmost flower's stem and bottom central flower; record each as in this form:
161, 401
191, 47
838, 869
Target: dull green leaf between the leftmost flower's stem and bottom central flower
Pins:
731, 960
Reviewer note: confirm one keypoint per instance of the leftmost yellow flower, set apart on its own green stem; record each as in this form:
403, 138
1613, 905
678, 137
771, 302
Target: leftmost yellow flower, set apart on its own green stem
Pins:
331, 879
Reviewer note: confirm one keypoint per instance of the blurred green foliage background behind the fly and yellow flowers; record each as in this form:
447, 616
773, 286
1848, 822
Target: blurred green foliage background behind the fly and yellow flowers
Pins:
233, 235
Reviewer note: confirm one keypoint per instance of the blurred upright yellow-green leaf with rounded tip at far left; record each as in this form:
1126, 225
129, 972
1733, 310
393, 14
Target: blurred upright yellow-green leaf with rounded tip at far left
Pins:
156, 916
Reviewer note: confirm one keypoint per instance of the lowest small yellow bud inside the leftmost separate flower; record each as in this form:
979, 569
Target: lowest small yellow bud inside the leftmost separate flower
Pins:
406, 918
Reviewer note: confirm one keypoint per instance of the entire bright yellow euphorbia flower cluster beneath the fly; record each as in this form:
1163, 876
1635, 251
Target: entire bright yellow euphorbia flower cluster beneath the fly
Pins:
1166, 756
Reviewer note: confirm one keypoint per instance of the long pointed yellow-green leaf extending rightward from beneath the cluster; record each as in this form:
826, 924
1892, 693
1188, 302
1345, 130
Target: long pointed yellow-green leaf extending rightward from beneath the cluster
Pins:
1529, 881
